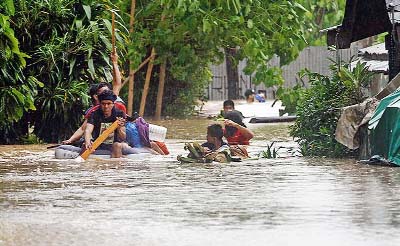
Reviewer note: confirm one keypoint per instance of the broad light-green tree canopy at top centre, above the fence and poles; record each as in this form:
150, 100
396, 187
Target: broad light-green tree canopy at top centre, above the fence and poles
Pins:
195, 34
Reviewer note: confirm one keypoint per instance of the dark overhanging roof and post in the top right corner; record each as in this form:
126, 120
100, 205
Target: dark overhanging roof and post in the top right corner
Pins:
366, 19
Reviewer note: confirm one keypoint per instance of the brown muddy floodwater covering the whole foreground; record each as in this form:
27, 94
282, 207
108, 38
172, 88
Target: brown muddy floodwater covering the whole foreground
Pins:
154, 200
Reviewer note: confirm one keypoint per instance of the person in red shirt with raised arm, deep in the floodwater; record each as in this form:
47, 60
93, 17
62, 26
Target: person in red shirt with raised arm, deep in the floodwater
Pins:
236, 131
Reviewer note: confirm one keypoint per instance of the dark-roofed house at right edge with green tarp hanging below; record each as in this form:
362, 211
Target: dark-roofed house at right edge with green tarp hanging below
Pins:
362, 20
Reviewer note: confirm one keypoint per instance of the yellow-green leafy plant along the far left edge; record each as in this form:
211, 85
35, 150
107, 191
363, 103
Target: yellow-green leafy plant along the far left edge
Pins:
17, 91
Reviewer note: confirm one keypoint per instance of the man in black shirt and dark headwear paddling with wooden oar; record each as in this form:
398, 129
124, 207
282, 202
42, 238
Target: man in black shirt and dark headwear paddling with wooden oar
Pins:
101, 119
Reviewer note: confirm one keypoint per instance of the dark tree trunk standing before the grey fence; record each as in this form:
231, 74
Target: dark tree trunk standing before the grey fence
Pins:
232, 74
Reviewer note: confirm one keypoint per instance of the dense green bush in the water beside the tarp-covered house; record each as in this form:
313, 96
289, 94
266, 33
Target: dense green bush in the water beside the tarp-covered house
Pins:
318, 108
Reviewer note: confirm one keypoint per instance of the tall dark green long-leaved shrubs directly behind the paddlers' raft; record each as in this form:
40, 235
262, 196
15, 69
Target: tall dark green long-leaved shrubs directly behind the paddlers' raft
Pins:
69, 45
